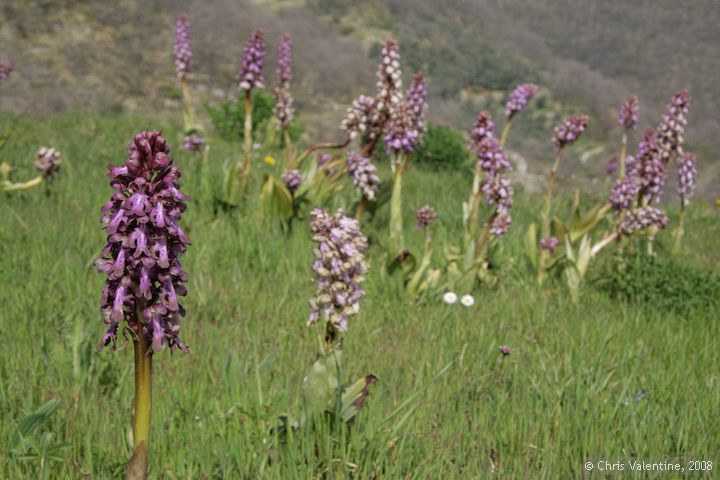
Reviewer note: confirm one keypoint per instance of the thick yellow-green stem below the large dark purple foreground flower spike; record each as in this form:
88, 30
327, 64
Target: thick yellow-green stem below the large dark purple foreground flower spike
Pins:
137, 468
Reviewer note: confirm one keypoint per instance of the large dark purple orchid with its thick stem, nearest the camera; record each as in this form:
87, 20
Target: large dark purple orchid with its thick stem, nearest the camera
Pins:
144, 274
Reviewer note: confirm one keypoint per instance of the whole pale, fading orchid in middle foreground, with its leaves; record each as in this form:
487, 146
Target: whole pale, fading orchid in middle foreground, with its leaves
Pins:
339, 268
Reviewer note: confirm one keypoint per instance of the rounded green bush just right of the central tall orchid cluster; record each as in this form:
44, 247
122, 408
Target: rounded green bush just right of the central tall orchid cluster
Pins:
442, 148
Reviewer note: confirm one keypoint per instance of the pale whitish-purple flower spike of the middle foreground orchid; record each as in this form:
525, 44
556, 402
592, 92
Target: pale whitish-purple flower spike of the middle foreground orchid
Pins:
339, 267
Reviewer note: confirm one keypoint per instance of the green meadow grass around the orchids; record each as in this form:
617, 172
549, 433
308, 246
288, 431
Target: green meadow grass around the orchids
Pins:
446, 402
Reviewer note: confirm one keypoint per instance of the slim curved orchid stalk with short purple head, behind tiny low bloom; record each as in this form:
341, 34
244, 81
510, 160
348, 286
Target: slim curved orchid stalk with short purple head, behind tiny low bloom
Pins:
565, 135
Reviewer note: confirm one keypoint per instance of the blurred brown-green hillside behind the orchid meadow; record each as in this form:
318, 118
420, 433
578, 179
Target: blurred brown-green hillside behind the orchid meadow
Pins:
588, 56
